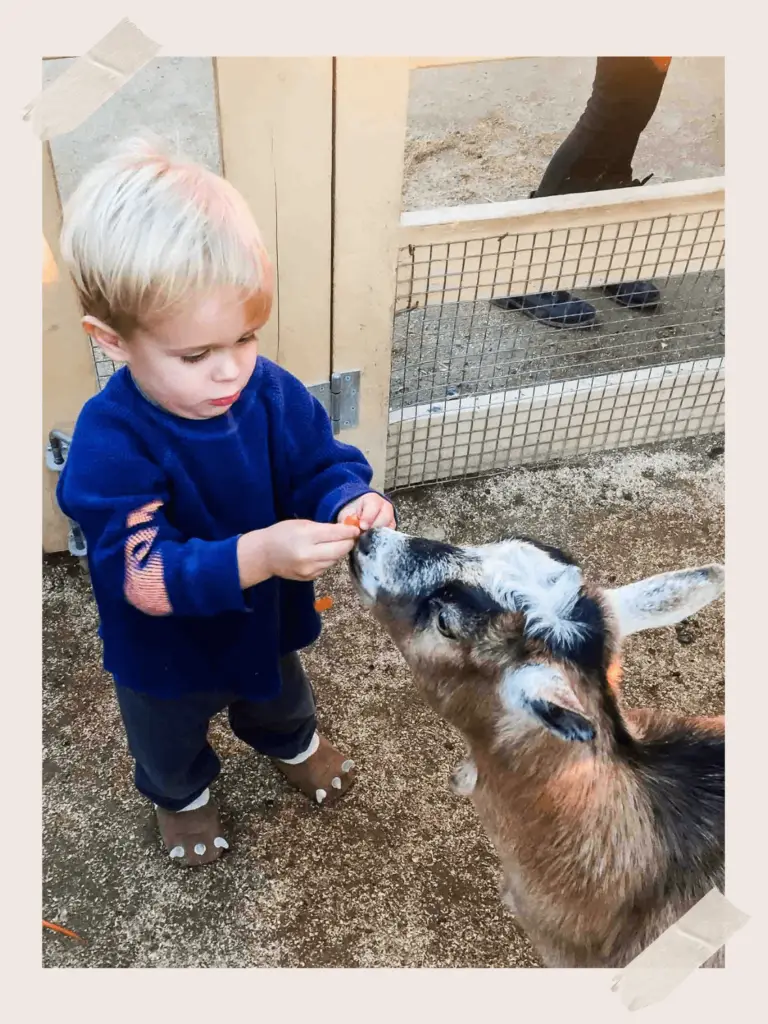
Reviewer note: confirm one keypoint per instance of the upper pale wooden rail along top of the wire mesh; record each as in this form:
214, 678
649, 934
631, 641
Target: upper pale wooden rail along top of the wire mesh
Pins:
584, 241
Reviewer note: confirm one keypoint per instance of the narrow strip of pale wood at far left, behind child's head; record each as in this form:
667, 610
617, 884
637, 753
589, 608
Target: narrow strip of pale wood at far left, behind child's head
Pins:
69, 372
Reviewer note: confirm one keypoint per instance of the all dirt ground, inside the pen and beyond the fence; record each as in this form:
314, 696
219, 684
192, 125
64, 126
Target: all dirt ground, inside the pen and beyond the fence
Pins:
400, 875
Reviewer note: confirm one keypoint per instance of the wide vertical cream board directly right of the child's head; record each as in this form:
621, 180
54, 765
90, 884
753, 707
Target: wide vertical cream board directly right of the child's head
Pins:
276, 117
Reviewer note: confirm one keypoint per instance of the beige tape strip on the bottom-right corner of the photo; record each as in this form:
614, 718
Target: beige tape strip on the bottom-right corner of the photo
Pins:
678, 952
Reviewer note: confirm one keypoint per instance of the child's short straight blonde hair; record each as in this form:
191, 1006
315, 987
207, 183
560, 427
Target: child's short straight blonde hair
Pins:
147, 230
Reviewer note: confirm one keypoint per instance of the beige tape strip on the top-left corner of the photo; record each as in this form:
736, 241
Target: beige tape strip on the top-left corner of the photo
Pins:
94, 78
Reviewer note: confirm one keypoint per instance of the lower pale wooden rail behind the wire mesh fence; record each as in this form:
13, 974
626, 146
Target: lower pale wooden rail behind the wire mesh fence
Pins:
544, 422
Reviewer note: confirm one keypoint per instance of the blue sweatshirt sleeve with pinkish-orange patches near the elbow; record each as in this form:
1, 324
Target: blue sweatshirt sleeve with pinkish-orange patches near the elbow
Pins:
119, 498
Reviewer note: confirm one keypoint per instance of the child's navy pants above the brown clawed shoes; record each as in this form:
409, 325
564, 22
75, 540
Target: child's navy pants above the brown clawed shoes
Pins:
168, 737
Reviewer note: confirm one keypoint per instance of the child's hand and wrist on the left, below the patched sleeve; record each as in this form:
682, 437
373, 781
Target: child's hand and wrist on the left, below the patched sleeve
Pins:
296, 549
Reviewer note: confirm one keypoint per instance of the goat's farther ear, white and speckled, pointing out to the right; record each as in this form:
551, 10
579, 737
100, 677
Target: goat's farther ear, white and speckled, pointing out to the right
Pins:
665, 600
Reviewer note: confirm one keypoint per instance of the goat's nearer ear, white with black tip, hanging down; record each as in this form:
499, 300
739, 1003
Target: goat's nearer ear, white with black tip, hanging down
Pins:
544, 693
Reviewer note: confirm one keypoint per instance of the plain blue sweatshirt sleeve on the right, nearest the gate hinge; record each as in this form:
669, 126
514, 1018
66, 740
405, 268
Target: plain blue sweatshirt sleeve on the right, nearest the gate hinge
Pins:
325, 475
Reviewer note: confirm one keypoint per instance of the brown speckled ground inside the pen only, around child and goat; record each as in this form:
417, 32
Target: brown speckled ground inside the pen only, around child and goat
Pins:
400, 874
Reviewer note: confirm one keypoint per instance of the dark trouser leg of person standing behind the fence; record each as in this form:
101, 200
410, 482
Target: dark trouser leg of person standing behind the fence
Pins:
599, 152
